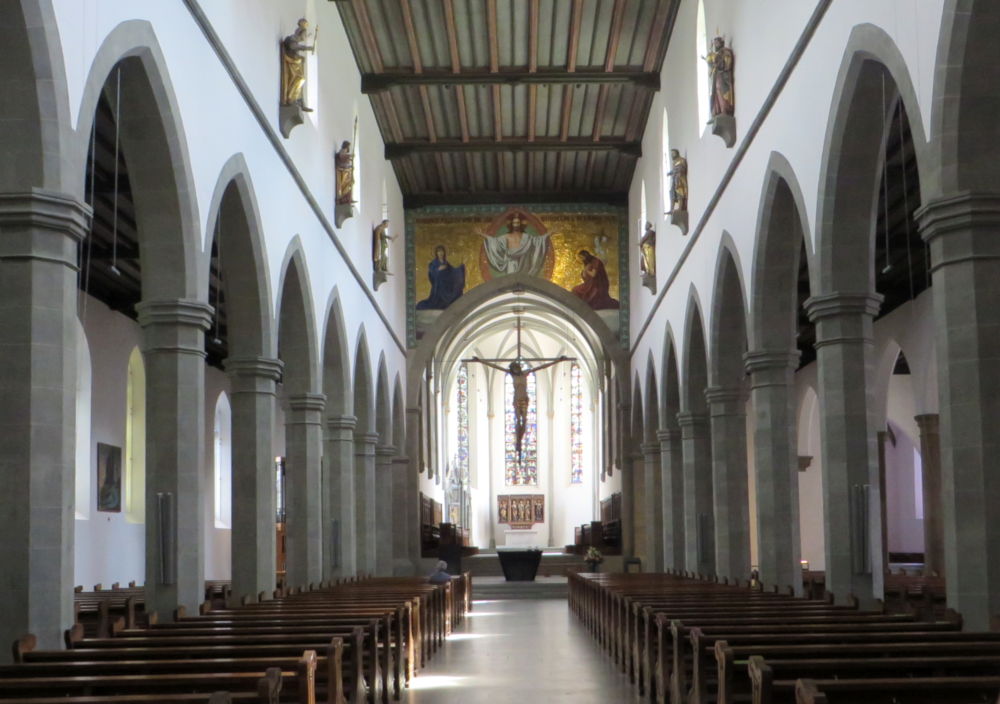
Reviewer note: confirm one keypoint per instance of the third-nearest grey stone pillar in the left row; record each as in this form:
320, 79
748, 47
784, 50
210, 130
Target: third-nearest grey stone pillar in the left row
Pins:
253, 383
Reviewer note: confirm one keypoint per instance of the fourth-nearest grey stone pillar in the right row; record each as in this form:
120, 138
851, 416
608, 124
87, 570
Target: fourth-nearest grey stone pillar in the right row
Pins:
731, 497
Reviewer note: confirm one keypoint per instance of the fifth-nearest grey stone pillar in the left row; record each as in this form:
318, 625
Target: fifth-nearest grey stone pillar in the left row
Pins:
340, 555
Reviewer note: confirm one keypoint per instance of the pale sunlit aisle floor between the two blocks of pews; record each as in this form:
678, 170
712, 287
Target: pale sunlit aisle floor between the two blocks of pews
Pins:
520, 651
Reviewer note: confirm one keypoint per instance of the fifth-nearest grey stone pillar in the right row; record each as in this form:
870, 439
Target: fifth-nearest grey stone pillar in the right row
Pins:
699, 523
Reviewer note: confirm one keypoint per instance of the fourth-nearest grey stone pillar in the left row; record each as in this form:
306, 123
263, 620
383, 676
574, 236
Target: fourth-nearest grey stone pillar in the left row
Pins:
303, 494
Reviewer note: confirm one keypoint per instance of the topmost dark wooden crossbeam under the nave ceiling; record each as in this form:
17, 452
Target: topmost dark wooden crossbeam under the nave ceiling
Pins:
379, 82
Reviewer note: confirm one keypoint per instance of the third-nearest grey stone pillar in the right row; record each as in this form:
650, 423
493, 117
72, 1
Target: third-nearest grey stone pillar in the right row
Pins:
772, 393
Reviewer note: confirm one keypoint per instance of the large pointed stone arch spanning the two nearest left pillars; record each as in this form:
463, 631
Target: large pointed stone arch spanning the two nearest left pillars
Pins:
162, 181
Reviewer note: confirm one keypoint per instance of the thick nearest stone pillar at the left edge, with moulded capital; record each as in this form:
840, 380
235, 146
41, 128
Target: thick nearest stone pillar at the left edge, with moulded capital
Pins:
39, 234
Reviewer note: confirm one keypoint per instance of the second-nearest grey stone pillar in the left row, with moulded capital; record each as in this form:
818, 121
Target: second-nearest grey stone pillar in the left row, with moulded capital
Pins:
174, 353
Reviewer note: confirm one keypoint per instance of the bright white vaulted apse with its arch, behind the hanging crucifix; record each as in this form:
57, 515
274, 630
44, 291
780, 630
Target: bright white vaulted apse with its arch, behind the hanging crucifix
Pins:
485, 324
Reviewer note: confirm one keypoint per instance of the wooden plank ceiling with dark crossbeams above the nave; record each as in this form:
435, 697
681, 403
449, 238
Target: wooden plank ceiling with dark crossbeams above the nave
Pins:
483, 101
